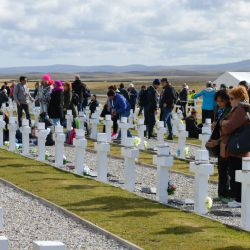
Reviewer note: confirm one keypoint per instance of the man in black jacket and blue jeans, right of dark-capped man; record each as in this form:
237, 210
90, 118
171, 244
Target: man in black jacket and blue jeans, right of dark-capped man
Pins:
167, 101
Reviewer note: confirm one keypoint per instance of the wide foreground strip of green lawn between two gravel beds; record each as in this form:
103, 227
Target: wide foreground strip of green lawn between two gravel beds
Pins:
143, 222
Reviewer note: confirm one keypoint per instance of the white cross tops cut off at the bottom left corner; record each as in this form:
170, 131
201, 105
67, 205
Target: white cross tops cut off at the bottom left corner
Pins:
37, 245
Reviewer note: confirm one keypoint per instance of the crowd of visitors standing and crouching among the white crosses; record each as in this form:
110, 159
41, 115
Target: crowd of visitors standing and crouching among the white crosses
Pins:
228, 109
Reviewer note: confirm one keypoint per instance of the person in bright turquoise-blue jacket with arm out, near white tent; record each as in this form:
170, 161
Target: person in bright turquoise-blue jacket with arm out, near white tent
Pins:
208, 102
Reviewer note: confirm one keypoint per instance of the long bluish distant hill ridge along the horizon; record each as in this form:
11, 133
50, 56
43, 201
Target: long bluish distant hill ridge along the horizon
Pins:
133, 69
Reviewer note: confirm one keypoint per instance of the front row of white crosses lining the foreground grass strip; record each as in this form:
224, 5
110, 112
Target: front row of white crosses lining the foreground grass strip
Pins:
201, 167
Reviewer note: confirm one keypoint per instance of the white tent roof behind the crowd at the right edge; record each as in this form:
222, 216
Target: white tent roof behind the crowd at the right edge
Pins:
233, 78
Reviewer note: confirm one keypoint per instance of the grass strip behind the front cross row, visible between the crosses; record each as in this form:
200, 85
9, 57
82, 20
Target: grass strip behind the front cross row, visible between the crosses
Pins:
146, 157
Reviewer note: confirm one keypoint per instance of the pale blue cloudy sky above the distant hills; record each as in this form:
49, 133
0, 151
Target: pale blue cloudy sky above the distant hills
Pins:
120, 32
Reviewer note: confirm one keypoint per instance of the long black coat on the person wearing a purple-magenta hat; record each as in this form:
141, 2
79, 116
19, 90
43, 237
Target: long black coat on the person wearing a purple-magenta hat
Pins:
55, 109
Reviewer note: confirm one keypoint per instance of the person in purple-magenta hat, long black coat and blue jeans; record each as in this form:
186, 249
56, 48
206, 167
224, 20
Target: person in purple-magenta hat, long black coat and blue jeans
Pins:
55, 109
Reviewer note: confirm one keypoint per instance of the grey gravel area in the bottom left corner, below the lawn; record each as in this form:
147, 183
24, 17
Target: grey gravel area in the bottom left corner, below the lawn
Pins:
26, 220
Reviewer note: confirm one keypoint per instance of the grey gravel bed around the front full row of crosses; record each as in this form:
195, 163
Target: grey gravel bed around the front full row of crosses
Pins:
146, 177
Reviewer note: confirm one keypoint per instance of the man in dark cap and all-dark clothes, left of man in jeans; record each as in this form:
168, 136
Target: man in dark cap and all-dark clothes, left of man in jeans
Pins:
150, 109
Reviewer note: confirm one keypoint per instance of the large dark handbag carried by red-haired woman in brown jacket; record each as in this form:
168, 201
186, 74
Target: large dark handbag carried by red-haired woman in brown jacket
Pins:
239, 141
